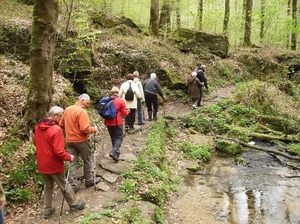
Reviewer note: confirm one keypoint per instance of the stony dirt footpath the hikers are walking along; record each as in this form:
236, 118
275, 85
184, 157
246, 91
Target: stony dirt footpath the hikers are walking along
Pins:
105, 194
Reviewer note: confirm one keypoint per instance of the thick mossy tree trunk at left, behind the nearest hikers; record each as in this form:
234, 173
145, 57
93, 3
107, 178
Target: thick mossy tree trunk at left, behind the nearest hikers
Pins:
39, 94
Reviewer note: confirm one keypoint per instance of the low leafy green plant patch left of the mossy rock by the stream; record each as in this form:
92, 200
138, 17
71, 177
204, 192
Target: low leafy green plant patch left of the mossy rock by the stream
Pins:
193, 151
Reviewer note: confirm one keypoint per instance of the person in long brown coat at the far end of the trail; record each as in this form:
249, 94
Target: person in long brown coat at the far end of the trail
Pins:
194, 84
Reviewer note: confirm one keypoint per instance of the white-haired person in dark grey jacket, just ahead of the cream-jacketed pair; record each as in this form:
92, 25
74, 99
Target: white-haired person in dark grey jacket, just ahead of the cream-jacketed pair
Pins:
151, 89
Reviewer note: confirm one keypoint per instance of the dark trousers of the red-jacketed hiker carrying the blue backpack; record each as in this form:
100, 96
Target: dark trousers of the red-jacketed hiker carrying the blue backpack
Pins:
116, 136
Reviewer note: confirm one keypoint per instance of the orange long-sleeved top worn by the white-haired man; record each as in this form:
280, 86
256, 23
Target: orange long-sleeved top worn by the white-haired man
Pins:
76, 122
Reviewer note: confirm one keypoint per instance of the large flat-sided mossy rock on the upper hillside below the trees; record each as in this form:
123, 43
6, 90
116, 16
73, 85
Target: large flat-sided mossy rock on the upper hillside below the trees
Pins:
201, 43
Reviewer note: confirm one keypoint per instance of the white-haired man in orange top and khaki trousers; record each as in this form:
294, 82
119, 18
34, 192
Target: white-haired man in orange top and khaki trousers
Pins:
75, 121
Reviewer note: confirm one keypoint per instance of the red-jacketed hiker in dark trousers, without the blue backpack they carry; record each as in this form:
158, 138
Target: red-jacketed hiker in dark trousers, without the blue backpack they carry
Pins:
115, 126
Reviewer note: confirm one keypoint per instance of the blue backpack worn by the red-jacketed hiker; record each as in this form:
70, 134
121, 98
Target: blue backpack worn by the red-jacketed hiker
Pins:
107, 108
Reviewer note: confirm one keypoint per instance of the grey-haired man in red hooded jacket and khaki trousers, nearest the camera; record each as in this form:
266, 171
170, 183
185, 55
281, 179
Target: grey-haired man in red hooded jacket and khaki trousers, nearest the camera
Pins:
51, 154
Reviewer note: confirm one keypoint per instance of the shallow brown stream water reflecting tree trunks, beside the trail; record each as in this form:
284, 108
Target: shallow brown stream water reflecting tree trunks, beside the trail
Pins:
261, 191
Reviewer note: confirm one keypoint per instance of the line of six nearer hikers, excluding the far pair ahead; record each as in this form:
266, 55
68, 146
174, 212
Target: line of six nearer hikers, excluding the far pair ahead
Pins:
74, 120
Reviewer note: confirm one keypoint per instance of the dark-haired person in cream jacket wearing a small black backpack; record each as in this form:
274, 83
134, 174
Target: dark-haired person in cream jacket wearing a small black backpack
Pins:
131, 105
